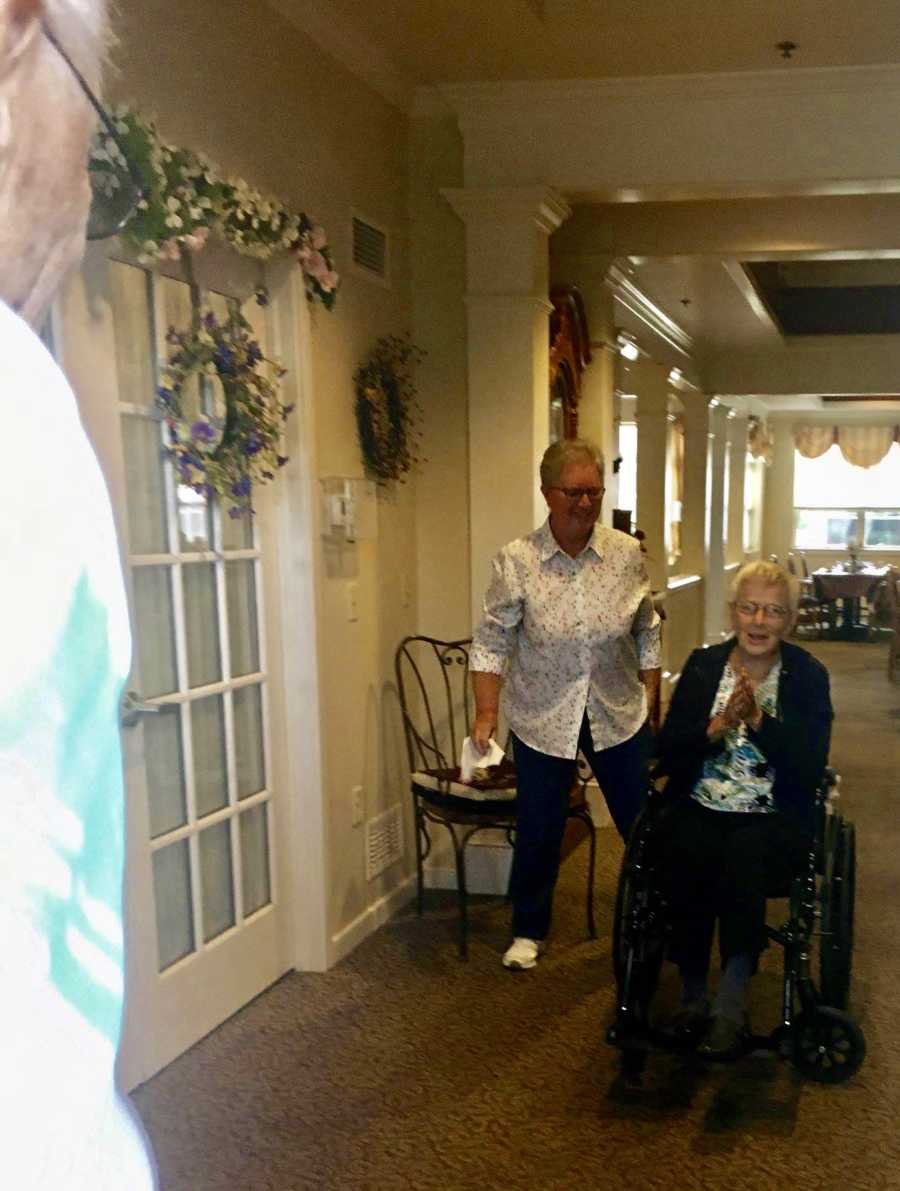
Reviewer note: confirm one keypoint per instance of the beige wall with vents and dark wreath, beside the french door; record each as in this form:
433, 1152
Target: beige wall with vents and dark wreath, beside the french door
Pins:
237, 82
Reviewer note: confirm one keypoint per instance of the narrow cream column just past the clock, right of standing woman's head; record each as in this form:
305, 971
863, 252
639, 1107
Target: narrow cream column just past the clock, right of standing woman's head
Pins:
651, 382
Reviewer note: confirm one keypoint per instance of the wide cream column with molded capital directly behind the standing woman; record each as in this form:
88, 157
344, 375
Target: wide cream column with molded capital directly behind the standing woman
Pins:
508, 284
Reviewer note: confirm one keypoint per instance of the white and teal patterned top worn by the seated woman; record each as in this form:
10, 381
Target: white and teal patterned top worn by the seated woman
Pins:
739, 778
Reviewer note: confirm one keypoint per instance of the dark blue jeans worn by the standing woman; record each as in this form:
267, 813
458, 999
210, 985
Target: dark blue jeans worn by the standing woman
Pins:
545, 784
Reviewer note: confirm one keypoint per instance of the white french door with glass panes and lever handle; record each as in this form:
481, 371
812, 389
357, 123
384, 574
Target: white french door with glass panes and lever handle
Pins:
205, 928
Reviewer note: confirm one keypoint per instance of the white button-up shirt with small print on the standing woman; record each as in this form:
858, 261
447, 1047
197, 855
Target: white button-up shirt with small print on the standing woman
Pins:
570, 637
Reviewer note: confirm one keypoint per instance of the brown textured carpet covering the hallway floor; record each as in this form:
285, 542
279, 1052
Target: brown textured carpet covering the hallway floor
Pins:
405, 1069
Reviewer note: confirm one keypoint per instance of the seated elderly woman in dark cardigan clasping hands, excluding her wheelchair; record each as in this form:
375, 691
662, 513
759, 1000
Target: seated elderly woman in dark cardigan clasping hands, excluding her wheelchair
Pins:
745, 747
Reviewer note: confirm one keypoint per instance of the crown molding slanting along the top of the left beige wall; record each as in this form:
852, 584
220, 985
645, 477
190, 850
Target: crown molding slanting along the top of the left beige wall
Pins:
368, 63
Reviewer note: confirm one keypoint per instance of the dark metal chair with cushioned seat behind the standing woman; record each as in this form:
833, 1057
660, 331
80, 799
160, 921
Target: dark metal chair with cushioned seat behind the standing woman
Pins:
433, 681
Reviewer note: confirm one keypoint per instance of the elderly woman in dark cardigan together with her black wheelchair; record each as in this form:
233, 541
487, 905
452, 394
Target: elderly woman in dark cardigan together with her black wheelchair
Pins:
745, 749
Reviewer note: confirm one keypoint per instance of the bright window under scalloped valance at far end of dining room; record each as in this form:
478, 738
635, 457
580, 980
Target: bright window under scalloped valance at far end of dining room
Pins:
837, 503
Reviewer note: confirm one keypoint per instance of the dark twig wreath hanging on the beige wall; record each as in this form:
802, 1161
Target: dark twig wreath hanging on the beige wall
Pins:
387, 409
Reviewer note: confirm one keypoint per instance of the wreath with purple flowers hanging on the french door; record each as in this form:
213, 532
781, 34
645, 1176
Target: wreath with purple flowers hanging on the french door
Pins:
220, 400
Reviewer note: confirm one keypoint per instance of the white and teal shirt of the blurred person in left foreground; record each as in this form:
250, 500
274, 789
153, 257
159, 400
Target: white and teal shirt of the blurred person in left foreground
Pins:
65, 653
